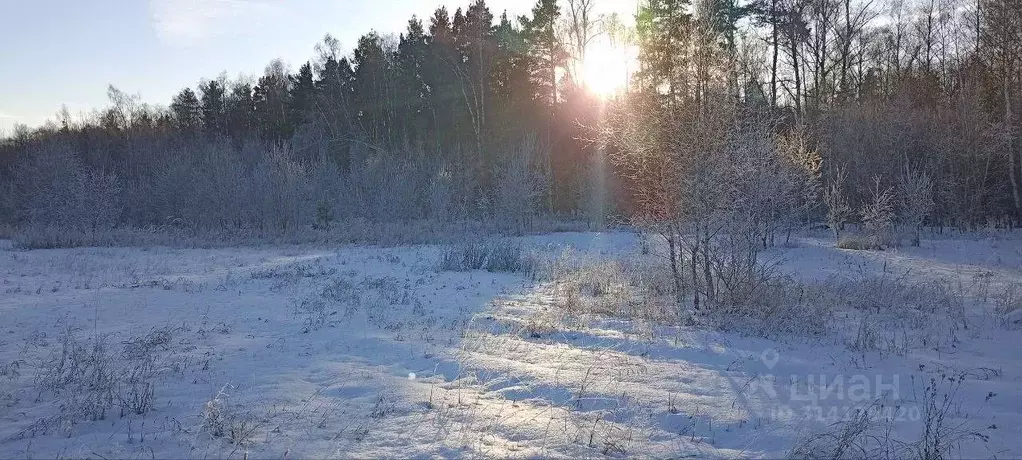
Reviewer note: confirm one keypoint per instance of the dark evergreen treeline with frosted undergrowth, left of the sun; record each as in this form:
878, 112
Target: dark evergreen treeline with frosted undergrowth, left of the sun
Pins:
462, 117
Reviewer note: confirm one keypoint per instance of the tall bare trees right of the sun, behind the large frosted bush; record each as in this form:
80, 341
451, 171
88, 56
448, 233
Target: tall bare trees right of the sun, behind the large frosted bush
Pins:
882, 90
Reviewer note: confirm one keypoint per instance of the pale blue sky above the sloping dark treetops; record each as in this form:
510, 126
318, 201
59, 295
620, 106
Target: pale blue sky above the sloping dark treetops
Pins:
56, 53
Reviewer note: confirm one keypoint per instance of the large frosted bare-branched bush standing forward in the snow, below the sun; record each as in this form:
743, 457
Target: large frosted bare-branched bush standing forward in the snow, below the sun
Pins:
719, 185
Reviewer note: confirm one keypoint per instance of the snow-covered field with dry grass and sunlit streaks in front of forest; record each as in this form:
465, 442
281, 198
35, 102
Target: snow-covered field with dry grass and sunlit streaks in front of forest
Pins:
368, 352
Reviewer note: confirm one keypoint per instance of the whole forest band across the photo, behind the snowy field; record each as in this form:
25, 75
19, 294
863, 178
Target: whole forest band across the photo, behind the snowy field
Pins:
741, 119
